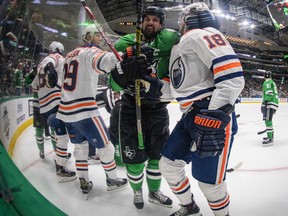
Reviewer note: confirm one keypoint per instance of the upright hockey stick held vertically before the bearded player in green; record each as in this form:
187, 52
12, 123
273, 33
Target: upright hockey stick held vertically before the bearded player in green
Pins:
139, 5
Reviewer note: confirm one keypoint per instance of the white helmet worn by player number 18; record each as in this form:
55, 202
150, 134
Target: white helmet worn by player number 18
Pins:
197, 15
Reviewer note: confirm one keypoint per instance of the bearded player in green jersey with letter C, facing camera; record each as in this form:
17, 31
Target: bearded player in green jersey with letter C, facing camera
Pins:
156, 44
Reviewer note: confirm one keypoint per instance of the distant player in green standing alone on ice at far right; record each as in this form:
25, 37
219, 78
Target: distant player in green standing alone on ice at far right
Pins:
269, 106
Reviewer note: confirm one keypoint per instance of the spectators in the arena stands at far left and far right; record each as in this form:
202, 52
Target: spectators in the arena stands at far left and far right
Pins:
21, 48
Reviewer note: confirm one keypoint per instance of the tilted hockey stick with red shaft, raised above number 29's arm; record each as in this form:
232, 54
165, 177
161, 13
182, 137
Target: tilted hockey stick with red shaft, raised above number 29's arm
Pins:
100, 29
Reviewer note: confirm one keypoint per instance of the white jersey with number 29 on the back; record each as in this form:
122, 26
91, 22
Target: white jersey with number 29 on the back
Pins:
82, 67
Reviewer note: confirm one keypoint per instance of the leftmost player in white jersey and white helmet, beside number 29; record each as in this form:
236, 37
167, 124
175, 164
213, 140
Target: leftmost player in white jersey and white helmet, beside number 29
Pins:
48, 87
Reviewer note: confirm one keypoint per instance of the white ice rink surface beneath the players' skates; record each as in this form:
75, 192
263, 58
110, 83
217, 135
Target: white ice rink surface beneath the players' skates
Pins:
258, 188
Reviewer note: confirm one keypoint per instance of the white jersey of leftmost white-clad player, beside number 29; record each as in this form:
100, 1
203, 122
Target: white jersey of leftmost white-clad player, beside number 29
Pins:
49, 98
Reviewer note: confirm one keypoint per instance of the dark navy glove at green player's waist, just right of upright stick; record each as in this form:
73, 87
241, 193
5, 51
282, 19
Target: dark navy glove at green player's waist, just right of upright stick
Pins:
152, 85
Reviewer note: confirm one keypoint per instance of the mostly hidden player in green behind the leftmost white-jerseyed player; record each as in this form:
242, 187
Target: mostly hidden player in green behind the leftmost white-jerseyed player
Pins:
39, 120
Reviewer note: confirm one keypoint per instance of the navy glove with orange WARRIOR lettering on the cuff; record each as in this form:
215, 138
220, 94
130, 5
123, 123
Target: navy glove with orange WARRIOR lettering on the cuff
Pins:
210, 132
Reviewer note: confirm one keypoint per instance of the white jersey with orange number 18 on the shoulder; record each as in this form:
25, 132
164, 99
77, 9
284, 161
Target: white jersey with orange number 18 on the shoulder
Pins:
204, 64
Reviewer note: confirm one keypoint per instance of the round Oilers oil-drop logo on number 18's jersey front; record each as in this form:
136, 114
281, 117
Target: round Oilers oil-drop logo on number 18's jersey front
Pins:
177, 73
